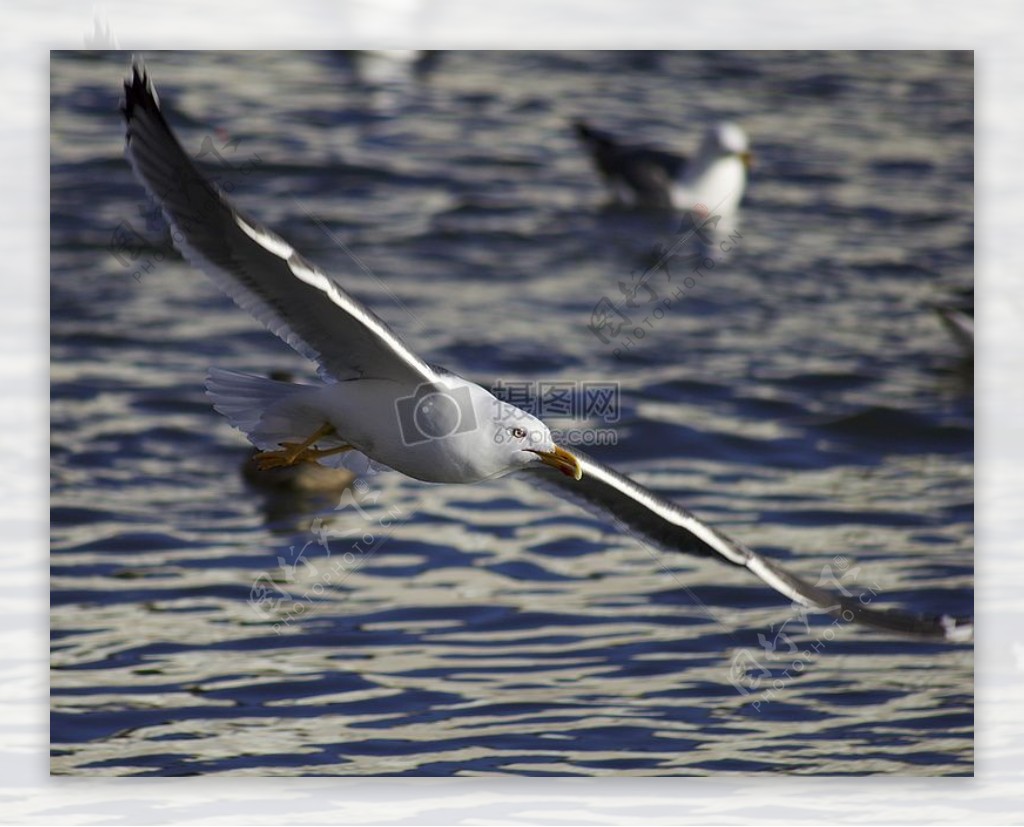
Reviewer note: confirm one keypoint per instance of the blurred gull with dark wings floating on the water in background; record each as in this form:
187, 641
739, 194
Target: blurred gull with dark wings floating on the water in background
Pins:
710, 184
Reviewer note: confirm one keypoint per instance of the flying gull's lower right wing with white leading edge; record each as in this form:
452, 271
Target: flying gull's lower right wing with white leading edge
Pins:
644, 514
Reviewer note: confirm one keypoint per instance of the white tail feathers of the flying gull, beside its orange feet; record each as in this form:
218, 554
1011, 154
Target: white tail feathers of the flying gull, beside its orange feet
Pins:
270, 412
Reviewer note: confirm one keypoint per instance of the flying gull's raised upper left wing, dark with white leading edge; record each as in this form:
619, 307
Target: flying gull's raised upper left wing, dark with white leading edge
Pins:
258, 269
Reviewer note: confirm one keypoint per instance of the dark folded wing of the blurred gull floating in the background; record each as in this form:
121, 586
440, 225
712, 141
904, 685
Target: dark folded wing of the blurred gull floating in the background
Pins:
649, 172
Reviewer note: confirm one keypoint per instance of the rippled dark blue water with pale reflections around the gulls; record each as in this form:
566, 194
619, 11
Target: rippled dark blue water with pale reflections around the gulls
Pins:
802, 397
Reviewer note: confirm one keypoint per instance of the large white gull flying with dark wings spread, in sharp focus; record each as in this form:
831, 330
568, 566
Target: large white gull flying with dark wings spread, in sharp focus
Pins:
382, 402
